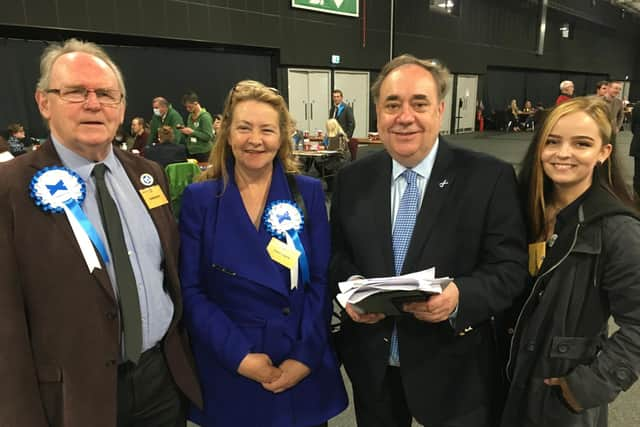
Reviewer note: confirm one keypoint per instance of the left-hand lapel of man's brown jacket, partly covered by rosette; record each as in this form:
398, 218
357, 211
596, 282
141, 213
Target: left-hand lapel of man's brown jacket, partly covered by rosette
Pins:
47, 156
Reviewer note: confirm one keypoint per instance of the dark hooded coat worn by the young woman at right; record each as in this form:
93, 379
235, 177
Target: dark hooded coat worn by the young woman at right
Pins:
589, 273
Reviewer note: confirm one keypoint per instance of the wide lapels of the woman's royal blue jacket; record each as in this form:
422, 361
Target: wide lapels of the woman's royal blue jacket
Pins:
247, 256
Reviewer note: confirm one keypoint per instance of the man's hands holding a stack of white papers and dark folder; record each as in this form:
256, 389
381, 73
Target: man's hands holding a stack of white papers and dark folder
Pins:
369, 300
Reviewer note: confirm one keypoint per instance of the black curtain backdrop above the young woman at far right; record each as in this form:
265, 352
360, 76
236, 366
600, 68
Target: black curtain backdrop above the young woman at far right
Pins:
503, 85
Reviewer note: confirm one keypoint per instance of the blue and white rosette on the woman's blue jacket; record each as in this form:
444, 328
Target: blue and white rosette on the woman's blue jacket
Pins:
283, 219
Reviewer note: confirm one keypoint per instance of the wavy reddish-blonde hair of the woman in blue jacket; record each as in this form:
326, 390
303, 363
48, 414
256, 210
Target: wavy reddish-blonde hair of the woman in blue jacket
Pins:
249, 90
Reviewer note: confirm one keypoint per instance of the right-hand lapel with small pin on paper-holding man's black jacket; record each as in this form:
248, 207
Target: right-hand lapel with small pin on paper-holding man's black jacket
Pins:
439, 187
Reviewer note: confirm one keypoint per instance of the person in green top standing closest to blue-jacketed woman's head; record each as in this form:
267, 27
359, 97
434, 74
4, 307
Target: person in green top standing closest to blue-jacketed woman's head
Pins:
199, 130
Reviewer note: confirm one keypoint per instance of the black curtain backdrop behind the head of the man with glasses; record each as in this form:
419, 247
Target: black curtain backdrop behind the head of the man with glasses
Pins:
148, 72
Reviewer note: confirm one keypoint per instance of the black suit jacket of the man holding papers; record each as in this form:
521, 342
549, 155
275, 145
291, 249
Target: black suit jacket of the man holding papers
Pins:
468, 228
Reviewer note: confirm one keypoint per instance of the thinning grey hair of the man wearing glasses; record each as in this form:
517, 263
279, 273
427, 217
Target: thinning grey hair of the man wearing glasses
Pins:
55, 50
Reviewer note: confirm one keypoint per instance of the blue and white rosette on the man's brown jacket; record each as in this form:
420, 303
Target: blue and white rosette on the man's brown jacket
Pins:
57, 189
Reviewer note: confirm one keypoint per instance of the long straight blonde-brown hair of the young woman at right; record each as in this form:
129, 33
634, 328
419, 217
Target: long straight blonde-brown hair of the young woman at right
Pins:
536, 187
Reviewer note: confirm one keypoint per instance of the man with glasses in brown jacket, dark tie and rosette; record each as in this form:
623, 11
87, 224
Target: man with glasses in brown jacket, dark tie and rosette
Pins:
72, 353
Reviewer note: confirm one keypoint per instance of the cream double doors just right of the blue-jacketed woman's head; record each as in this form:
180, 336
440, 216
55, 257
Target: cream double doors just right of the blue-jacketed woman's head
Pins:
309, 97
